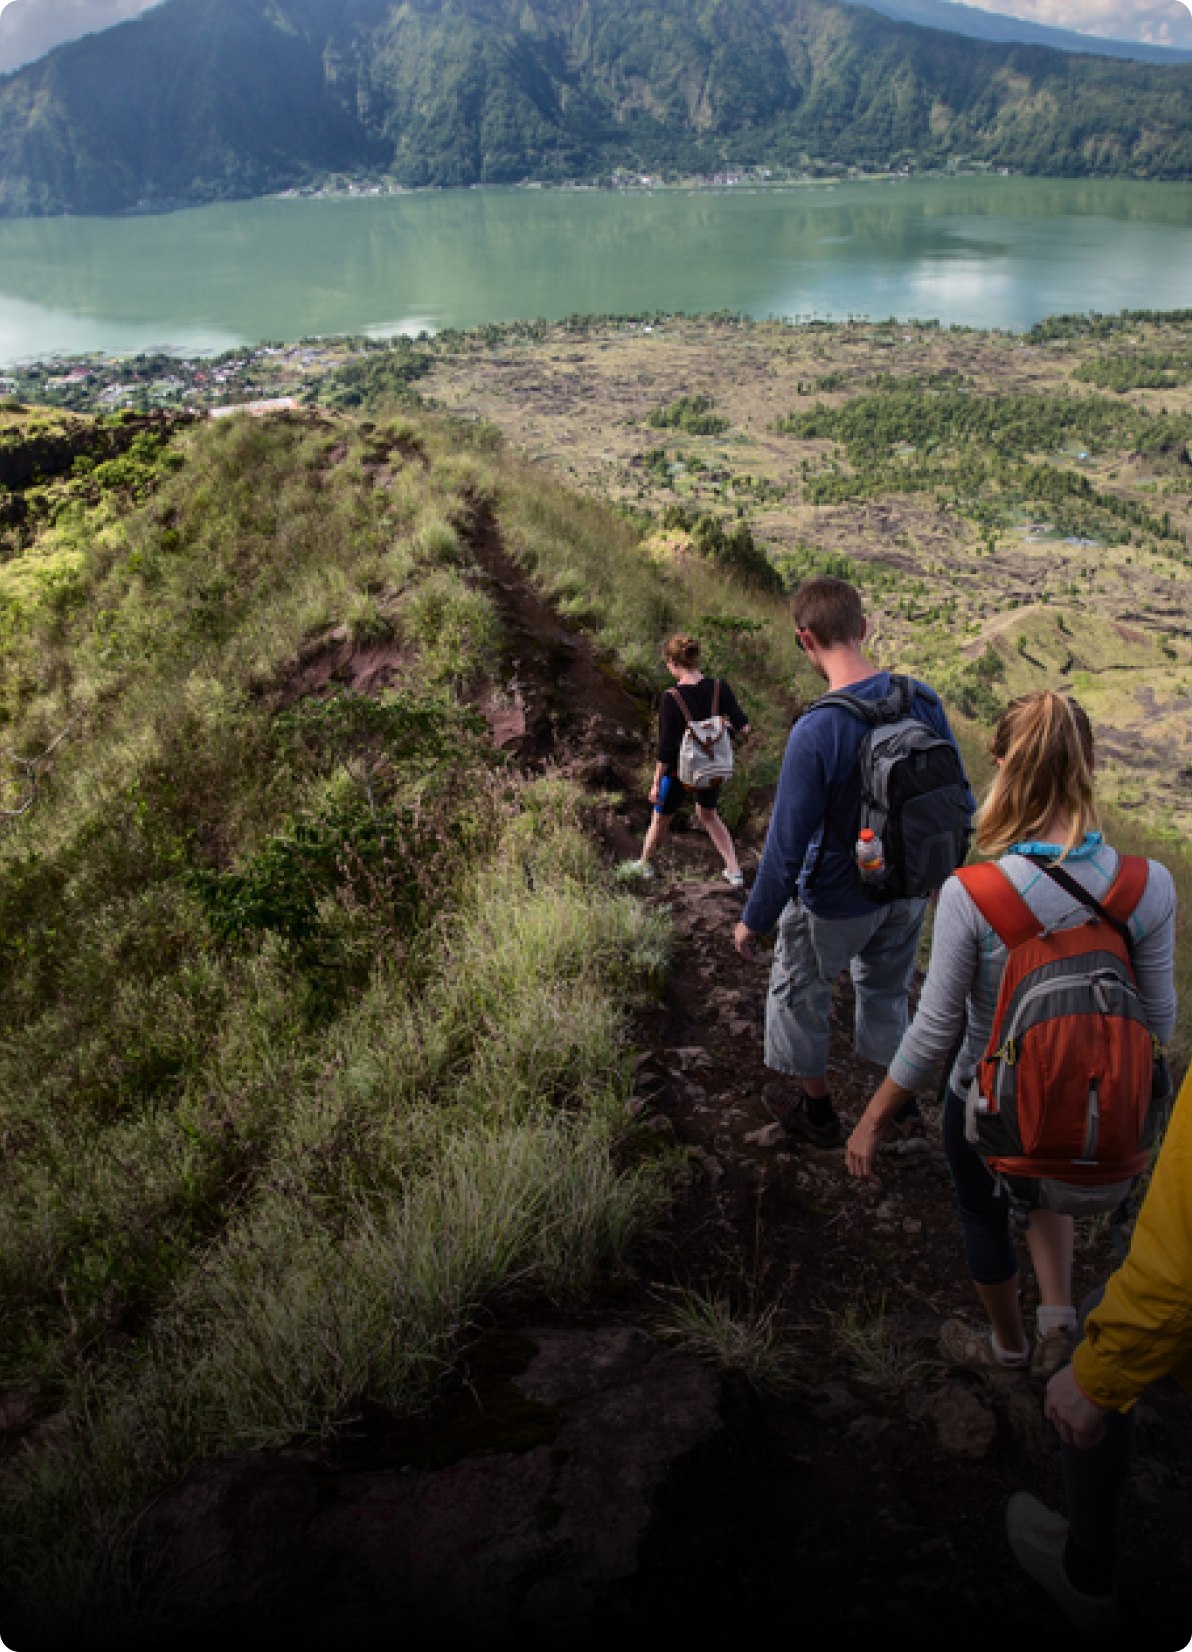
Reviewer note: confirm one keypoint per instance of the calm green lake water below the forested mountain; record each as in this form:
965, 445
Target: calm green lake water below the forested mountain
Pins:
986, 252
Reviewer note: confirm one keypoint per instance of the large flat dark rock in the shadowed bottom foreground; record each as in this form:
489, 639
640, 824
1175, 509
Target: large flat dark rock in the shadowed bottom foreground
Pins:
490, 1549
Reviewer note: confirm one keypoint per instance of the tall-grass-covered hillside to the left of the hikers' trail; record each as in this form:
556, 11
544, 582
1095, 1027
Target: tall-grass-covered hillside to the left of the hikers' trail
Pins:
313, 1005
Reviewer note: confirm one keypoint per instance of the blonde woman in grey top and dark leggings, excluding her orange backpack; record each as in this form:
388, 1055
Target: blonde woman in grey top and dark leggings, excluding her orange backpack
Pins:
1039, 812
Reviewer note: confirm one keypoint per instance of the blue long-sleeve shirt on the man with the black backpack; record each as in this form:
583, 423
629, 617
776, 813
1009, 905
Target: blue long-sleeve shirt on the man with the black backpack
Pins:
821, 777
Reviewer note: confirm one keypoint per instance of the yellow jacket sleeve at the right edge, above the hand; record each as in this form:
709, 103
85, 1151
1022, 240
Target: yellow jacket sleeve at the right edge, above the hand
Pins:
1143, 1327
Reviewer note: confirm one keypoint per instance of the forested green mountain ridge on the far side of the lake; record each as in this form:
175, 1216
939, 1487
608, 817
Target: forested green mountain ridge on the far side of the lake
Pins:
235, 98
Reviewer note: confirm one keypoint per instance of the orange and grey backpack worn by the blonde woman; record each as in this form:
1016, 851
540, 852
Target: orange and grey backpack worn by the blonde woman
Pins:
1062, 1103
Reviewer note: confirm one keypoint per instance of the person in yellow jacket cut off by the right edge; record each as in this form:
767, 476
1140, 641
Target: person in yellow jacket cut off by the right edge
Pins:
1135, 1332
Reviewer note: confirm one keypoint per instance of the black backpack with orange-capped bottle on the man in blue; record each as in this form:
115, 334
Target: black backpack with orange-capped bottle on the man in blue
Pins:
915, 797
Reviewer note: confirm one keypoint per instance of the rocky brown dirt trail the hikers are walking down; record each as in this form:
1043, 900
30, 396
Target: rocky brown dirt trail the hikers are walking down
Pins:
876, 1501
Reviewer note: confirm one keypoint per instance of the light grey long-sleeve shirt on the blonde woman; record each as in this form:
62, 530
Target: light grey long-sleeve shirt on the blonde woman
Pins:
968, 959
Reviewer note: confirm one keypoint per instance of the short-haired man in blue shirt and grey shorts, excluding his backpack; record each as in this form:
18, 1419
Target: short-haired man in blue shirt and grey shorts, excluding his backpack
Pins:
808, 883
